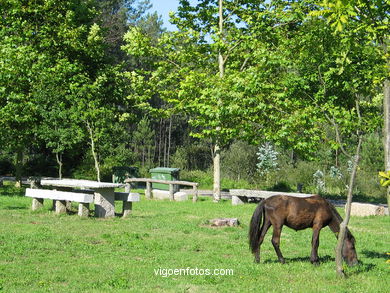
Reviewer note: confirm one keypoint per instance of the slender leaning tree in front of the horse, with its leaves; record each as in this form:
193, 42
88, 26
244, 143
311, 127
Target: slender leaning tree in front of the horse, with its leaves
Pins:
369, 22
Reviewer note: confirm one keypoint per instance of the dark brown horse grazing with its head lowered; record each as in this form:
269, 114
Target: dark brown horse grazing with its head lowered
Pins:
297, 213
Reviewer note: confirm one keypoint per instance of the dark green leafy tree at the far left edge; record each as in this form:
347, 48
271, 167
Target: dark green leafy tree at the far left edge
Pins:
34, 35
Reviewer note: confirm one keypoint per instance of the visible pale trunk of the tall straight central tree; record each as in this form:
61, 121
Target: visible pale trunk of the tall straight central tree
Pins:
217, 148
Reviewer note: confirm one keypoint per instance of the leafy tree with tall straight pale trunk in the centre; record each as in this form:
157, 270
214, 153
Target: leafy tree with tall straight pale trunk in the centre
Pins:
199, 88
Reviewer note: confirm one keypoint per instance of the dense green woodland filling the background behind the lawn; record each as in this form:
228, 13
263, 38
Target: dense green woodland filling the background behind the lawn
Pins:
280, 92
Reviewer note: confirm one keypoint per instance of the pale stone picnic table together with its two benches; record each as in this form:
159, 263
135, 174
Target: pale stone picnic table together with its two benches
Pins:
102, 194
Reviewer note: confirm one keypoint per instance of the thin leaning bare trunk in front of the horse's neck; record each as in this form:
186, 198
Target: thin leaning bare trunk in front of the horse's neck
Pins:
344, 223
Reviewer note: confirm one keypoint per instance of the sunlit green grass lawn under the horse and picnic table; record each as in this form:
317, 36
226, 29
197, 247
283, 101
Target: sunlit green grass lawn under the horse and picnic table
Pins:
41, 251
